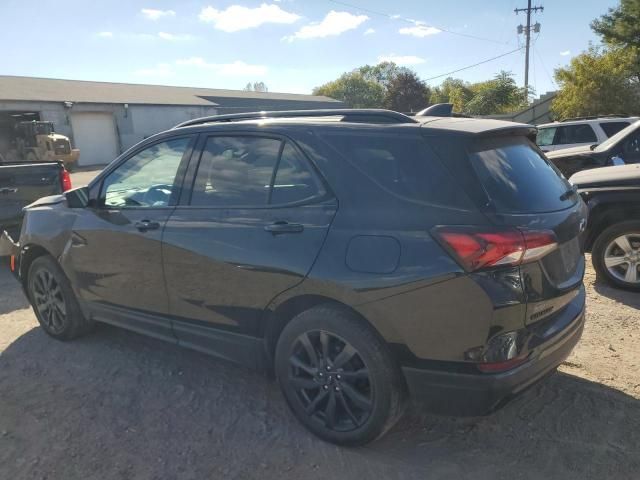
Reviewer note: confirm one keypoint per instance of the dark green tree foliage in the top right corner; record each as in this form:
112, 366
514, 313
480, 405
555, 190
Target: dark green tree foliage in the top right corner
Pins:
620, 28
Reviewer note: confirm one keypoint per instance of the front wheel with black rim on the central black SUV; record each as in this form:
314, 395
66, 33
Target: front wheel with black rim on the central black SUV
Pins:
53, 300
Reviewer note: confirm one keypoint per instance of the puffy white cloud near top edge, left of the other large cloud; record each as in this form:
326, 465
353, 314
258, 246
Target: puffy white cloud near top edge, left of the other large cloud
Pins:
237, 17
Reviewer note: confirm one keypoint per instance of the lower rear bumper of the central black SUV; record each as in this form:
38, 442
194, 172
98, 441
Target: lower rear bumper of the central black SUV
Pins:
465, 394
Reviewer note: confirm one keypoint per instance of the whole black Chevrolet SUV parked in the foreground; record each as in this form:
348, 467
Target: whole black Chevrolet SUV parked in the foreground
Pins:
359, 255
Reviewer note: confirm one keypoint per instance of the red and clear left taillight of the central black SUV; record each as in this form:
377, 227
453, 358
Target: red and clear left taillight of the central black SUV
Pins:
476, 248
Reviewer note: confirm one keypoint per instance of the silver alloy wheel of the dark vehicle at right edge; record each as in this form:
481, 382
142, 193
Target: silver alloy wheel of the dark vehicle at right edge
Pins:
616, 255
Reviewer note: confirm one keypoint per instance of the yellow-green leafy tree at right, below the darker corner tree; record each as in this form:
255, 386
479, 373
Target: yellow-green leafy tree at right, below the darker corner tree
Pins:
598, 82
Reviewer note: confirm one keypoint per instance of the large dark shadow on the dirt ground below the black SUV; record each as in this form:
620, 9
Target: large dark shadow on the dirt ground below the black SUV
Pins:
118, 405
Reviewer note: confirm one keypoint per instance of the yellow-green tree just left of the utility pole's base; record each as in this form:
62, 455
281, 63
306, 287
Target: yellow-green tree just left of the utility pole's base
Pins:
499, 95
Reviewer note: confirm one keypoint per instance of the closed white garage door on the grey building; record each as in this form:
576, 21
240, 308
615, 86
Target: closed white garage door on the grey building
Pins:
95, 135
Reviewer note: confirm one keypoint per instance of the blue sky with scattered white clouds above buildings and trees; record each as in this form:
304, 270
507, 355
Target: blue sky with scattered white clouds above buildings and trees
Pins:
291, 45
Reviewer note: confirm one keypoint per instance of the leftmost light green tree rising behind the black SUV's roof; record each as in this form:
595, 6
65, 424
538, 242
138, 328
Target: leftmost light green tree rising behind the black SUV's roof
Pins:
353, 89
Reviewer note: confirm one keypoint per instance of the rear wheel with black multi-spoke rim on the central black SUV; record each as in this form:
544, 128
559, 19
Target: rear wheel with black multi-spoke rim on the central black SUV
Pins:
338, 377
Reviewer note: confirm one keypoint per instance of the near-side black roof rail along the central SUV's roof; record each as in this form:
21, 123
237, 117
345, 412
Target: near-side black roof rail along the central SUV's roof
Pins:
364, 115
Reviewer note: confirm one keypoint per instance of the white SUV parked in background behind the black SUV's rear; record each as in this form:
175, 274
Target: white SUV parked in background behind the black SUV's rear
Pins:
579, 132
